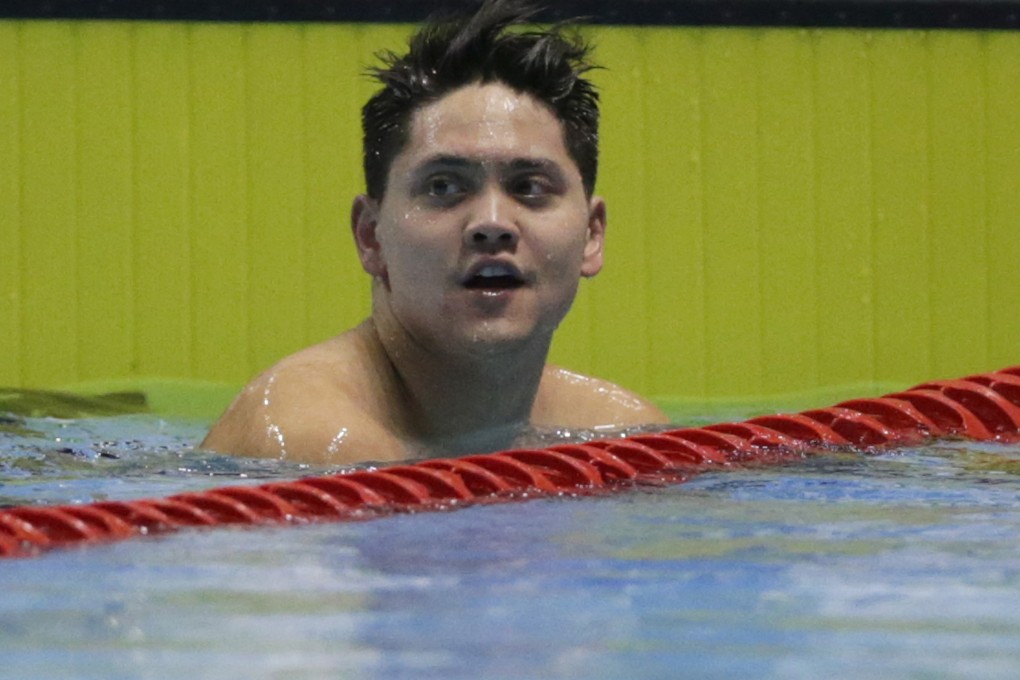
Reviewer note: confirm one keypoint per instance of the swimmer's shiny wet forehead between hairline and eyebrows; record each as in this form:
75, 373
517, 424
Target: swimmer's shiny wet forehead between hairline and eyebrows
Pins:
486, 122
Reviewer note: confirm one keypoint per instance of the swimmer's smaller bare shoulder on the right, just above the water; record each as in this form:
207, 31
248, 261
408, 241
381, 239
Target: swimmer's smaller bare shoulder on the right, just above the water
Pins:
574, 400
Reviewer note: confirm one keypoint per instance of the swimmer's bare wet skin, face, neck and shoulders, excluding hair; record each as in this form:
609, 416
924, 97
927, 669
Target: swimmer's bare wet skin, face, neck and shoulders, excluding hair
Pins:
476, 253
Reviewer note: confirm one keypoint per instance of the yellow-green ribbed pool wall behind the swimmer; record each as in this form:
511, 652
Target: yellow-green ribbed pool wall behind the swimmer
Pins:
790, 210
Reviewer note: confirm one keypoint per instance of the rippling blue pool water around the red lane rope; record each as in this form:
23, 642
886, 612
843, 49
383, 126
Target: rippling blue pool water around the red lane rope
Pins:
905, 565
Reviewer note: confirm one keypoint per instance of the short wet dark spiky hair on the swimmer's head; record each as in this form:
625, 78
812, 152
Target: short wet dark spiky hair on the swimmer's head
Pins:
450, 54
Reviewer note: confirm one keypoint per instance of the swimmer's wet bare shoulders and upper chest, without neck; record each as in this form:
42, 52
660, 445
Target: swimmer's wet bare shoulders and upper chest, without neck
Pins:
342, 401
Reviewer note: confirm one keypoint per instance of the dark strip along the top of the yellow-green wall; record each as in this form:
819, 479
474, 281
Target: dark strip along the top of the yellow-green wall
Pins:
1003, 15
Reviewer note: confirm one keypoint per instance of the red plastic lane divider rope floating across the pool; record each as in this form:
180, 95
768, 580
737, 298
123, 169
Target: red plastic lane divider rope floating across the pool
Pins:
983, 408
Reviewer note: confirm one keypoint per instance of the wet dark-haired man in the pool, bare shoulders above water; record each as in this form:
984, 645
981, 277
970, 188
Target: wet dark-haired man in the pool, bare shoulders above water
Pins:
479, 222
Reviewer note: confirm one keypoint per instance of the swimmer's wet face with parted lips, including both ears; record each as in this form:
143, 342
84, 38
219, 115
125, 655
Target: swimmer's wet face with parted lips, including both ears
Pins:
485, 229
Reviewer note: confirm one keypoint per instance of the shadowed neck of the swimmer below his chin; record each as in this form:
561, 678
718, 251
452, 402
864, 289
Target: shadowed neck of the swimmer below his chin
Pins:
462, 402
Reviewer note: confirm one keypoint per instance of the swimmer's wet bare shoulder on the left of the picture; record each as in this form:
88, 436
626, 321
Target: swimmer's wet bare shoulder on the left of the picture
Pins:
311, 407
